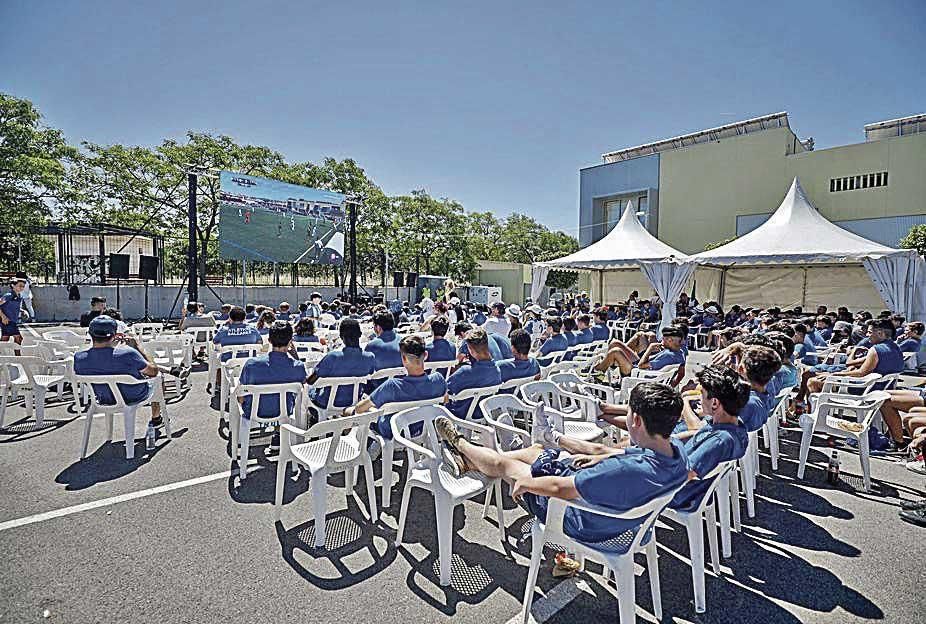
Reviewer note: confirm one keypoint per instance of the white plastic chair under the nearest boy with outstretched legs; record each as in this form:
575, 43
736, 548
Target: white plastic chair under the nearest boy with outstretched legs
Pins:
617, 554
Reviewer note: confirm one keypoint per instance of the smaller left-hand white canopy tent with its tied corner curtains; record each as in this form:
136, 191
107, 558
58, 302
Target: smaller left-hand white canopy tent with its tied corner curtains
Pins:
628, 245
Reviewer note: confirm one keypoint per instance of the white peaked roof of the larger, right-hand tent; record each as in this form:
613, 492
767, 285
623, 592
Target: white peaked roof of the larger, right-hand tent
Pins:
796, 234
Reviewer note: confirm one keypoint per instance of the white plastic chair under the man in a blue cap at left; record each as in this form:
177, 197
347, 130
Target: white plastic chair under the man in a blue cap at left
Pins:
119, 407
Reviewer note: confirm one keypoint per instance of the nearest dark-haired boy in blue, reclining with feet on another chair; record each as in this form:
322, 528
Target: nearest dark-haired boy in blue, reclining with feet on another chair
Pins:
618, 479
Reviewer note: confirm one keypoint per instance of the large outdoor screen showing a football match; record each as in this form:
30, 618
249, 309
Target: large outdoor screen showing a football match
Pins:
271, 221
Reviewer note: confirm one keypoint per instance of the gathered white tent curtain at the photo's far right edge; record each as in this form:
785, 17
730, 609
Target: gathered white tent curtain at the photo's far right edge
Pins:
900, 280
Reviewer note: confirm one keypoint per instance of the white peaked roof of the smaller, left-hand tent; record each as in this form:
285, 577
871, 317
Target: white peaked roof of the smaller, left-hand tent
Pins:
625, 245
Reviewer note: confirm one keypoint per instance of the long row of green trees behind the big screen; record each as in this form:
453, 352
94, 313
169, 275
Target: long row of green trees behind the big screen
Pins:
43, 177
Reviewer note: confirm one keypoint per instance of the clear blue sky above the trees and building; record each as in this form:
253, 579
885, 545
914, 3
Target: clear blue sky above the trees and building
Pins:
494, 104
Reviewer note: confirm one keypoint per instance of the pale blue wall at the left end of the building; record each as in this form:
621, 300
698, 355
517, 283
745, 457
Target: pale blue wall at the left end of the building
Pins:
601, 181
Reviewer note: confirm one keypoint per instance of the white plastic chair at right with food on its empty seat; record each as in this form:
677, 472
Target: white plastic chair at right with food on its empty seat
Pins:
825, 419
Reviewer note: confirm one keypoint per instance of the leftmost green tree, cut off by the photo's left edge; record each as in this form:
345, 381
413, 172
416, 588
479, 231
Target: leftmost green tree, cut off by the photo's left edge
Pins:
34, 162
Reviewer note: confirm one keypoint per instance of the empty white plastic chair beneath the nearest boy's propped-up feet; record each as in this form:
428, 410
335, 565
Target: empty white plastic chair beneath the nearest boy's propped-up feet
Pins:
427, 473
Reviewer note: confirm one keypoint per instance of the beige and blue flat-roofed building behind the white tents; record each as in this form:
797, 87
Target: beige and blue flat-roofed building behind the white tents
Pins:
709, 186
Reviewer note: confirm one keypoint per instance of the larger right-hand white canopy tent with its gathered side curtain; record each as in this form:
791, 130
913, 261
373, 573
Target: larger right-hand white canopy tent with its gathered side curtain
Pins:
797, 235
